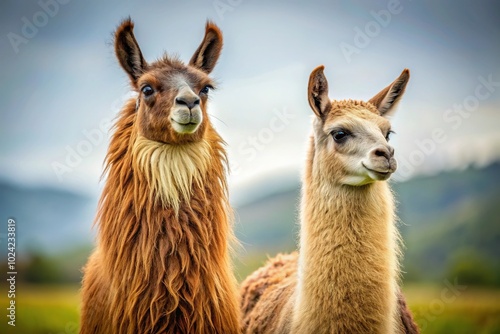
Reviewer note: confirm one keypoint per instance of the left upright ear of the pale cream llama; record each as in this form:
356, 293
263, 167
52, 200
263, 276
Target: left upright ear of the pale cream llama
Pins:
317, 92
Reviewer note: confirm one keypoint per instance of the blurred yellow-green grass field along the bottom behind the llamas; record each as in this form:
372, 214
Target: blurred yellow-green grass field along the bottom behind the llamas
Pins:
438, 309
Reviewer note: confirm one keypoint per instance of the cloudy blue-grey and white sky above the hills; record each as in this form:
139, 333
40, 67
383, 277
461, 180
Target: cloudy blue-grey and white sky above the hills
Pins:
62, 86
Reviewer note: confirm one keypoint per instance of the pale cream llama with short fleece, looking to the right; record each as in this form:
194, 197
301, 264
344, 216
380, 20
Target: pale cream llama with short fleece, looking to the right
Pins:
345, 277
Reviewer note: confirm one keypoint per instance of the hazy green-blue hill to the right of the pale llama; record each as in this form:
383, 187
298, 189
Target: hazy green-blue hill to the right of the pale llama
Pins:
450, 220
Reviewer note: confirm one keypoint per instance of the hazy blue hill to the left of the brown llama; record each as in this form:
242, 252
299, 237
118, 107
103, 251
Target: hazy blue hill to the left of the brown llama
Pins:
47, 219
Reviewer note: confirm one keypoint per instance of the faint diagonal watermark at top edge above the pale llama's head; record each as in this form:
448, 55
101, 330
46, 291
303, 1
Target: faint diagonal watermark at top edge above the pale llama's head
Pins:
371, 30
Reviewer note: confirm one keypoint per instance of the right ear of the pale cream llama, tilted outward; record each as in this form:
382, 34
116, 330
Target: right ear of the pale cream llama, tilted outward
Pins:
387, 100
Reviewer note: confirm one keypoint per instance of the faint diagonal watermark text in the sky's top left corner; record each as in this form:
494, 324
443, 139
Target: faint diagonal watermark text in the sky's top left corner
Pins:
32, 25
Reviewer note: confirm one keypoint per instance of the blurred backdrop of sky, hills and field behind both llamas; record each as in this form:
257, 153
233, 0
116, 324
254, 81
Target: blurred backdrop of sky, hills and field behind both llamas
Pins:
62, 88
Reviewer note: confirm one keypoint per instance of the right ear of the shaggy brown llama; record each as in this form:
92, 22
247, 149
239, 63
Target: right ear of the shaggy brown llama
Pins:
207, 54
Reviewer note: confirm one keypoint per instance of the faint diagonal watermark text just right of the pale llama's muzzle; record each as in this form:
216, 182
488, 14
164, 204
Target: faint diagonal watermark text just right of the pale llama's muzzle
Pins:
453, 117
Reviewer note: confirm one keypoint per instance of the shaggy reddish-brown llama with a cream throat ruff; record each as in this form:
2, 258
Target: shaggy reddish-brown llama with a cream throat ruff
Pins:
162, 261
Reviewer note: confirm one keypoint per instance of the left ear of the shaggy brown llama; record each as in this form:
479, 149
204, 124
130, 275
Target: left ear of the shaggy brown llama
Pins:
127, 50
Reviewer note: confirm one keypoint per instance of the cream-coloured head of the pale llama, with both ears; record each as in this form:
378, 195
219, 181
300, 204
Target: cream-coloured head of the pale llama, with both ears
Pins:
351, 137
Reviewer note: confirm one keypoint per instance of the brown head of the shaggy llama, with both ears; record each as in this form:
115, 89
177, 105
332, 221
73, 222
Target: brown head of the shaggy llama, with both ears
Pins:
171, 106
